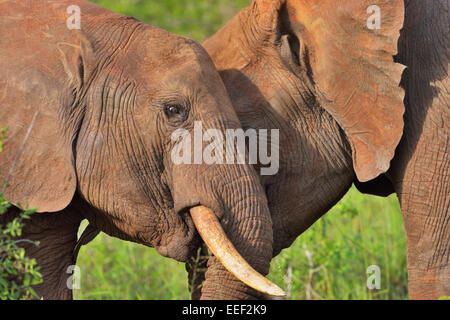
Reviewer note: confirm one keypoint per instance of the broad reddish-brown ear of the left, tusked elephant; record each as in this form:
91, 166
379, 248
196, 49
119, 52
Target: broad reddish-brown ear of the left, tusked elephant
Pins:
40, 81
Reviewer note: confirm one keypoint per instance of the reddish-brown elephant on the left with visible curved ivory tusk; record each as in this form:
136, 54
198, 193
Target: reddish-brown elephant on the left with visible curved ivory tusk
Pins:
91, 112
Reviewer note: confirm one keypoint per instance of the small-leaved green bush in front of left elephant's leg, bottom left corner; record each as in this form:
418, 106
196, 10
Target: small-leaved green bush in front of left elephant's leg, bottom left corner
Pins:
17, 272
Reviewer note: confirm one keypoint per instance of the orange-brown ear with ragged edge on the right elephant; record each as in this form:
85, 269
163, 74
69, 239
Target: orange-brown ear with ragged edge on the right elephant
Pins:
351, 63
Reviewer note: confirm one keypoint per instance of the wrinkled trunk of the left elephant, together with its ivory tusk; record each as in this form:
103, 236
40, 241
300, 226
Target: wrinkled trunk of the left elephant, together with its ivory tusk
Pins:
229, 209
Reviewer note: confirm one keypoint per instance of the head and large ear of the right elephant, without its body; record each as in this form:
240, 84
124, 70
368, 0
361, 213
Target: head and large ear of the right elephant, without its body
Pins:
323, 73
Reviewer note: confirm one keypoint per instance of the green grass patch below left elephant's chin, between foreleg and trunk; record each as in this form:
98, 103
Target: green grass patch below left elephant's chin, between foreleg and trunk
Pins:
116, 269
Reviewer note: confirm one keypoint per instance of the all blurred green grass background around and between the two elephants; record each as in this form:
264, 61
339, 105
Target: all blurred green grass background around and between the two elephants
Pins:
329, 261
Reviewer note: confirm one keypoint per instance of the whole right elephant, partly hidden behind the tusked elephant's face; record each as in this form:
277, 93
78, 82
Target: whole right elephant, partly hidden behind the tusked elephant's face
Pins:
354, 104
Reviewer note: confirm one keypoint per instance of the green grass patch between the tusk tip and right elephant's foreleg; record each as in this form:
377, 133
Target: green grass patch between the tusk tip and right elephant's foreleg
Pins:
359, 231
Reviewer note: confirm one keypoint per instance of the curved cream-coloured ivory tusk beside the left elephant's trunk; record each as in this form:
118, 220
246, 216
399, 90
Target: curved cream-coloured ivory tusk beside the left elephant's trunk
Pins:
212, 233
